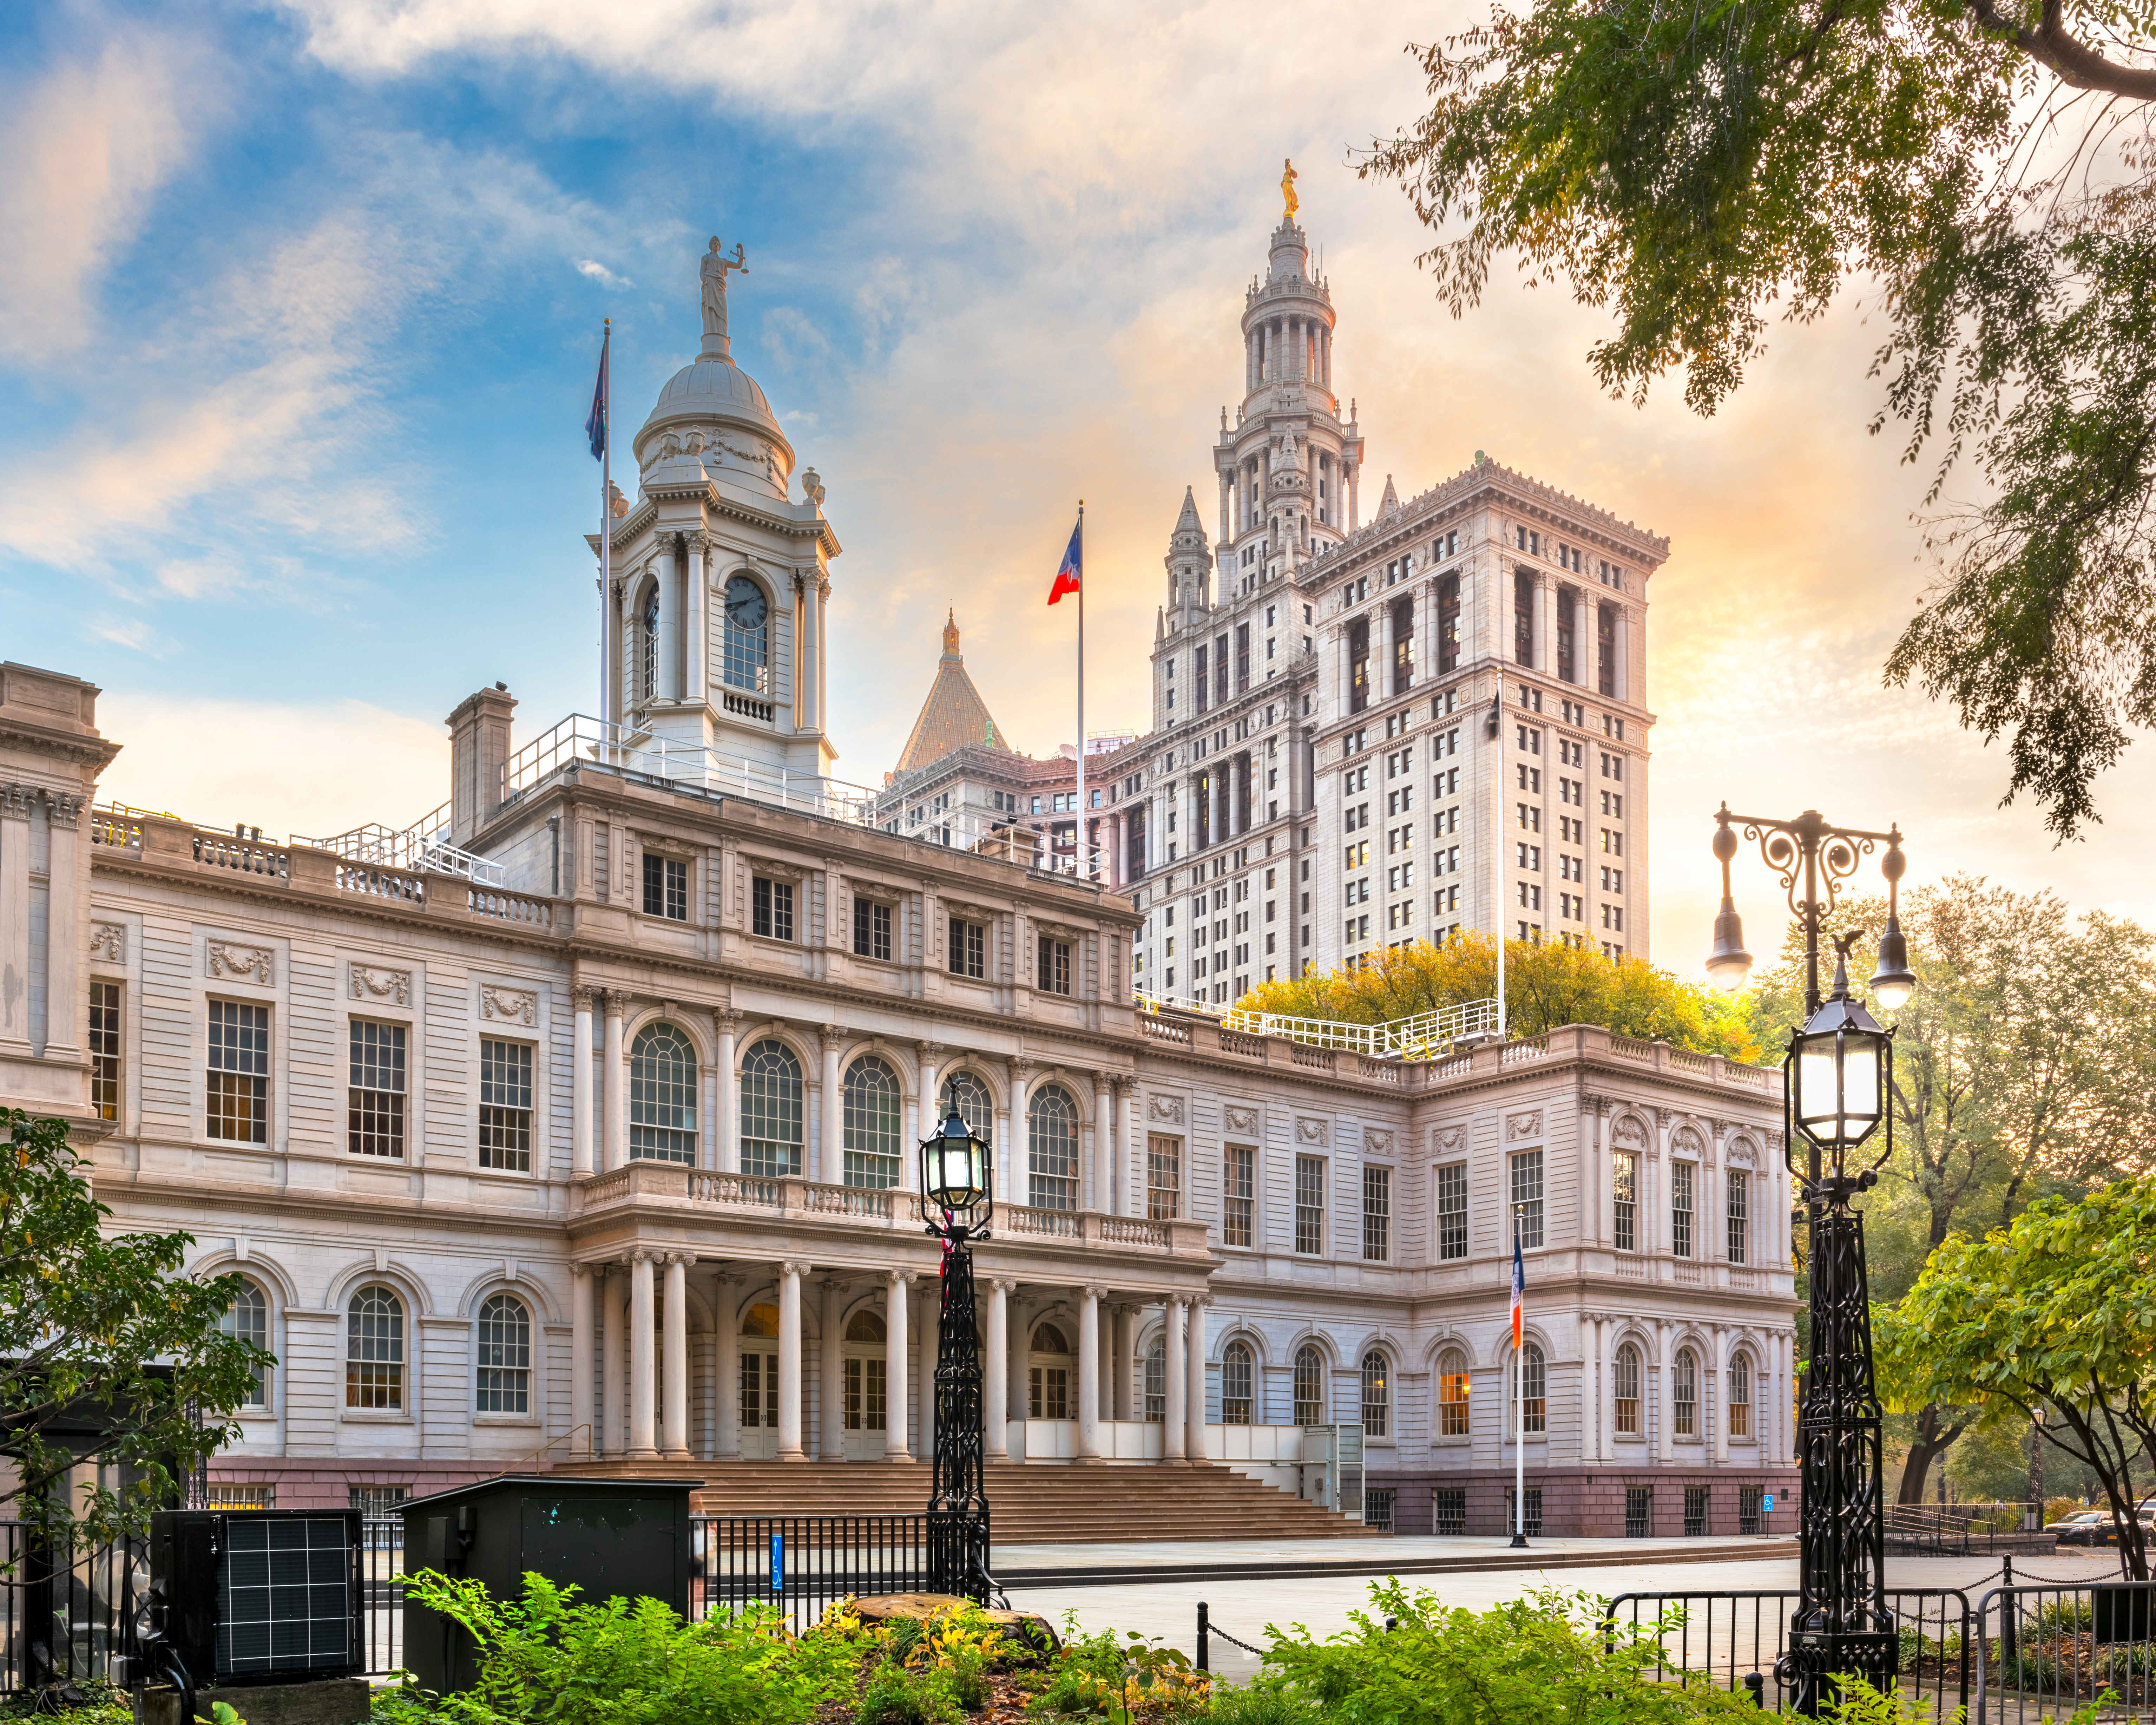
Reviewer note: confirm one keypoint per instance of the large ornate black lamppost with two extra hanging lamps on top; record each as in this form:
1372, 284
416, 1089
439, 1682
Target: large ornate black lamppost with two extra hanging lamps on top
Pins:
1838, 1079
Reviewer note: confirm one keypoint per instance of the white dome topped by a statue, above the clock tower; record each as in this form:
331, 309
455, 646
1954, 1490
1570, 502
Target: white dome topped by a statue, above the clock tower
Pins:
713, 419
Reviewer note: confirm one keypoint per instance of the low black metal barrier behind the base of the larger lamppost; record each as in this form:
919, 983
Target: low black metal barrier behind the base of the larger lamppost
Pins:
1739, 1638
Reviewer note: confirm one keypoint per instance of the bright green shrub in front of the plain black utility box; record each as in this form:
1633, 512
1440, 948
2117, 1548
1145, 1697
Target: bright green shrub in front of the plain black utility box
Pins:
542, 1657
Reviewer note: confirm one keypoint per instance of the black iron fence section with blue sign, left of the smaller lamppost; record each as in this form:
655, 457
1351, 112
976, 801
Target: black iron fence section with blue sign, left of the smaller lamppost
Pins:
803, 1564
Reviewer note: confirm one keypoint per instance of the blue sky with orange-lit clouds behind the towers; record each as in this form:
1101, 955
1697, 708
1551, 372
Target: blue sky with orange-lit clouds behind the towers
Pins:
301, 309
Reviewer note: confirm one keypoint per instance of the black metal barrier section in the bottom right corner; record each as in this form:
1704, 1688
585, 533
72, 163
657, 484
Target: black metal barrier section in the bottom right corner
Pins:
2049, 1648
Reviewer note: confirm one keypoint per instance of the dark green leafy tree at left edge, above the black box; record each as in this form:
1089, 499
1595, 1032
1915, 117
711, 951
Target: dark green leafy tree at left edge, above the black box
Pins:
109, 1355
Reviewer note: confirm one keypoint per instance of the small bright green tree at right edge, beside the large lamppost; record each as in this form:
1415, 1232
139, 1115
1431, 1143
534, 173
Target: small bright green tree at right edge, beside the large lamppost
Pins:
2051, 1319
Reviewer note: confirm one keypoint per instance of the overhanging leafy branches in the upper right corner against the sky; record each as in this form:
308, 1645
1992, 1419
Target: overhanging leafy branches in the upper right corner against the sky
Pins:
1700, 167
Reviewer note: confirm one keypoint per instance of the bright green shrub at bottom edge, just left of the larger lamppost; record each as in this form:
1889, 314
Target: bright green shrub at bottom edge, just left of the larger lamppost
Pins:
1543, 1659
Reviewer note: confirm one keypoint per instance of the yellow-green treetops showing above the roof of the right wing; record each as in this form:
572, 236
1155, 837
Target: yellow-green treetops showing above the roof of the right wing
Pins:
1545, 986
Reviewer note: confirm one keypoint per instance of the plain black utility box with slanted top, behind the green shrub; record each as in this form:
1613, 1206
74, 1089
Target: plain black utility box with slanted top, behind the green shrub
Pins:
600, 1536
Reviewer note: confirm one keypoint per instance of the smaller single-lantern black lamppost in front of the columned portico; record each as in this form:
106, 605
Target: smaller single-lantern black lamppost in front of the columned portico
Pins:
956, 1202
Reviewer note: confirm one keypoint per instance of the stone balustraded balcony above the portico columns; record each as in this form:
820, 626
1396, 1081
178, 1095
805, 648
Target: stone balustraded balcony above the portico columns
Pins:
859, 1209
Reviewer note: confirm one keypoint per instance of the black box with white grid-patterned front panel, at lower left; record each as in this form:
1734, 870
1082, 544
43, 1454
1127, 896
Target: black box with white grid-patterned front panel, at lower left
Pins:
260, 1597
